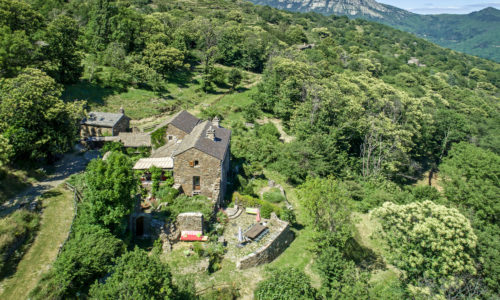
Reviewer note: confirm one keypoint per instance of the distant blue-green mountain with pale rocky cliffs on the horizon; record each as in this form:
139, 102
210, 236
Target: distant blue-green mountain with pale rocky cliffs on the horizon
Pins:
477, 33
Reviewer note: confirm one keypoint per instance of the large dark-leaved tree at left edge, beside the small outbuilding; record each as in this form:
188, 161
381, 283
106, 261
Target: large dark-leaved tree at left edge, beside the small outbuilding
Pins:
33, 118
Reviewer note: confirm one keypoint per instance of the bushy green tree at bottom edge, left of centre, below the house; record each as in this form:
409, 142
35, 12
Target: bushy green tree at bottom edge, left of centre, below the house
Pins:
136, 276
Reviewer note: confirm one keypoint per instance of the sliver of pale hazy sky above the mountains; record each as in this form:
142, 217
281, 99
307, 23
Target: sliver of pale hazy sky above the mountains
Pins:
442, 6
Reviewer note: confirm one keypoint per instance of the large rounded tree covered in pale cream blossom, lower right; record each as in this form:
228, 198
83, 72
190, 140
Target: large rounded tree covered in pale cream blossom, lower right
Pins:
428, 240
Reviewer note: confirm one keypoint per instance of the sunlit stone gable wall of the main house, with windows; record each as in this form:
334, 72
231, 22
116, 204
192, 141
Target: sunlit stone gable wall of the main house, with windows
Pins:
208, 169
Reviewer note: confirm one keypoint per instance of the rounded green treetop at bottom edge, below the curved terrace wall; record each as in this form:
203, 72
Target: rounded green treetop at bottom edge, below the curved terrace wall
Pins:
286, 284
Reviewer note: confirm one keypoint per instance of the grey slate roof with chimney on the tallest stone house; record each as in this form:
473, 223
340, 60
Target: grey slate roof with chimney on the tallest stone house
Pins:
197, 139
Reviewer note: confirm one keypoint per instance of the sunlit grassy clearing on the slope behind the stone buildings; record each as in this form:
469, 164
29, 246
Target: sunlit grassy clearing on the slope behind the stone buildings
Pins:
141, 103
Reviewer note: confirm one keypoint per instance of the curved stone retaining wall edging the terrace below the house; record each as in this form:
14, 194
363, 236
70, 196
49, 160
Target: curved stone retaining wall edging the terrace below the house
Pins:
266, 254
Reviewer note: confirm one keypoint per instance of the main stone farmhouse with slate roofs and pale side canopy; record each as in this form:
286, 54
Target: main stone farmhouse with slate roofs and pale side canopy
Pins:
197, 152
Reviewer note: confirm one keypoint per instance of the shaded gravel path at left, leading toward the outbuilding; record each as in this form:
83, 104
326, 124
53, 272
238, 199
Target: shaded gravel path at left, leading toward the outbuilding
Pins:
70, 164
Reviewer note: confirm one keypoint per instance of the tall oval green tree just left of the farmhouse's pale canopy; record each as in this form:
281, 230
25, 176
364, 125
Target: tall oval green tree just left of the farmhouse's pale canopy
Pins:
109, 191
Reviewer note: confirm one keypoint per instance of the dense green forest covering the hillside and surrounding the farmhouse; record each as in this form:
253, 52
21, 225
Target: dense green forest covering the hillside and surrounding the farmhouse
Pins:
367, 126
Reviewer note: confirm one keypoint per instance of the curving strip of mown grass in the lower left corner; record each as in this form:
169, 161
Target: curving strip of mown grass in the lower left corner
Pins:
54, 227
